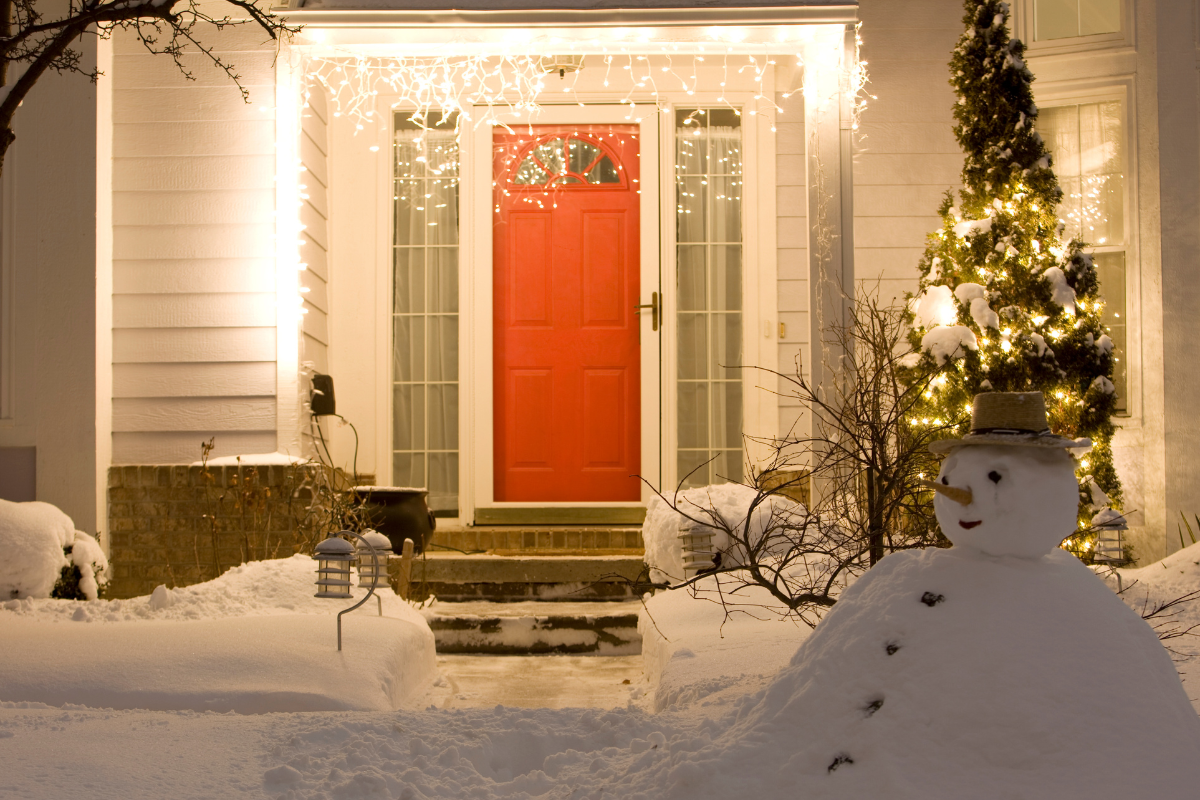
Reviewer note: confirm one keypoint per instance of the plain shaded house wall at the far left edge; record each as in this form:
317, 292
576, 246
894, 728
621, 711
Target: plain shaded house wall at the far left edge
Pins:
51, 350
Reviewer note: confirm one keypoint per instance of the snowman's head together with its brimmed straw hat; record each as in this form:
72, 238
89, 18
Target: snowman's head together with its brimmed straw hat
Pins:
1009, 488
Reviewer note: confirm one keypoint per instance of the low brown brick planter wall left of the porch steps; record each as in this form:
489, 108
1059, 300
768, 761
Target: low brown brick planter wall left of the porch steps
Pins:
179, 526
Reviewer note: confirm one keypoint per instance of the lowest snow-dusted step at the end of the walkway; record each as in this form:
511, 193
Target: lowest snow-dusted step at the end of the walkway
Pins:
602, 629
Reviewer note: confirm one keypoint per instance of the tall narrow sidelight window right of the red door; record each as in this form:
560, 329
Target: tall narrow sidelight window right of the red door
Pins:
709, 242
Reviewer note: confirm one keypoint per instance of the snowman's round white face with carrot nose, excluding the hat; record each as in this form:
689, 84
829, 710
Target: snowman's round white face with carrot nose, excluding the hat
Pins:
1023, 501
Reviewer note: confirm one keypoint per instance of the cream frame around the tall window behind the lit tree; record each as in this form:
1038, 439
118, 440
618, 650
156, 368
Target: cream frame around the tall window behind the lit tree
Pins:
1078, 93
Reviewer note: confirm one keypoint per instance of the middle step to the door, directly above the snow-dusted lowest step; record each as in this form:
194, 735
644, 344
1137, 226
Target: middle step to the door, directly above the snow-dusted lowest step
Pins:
460, 578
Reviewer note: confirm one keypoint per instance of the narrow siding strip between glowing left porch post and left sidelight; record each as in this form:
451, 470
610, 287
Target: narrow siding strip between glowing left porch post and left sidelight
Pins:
315, 218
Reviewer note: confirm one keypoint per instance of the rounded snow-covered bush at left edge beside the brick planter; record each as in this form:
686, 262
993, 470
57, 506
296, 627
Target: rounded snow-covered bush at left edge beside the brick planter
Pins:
44, 554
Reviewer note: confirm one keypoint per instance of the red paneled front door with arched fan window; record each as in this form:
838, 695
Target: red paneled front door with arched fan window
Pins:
566, 268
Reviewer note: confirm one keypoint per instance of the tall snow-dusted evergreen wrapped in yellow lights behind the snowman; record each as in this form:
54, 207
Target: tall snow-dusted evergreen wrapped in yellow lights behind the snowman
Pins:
1005, 304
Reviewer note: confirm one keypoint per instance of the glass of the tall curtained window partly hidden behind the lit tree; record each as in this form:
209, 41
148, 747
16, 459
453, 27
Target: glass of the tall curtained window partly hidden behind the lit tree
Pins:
1088, 145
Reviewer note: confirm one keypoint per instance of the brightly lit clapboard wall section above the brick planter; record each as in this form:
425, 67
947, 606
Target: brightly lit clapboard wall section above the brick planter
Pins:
194, 252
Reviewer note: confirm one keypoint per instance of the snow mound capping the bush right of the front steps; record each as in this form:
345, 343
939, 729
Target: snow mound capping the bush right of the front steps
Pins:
729, 502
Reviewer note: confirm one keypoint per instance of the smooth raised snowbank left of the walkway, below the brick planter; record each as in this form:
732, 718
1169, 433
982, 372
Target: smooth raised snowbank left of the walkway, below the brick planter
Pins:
253, 641
